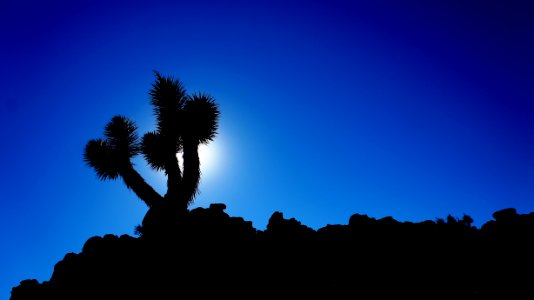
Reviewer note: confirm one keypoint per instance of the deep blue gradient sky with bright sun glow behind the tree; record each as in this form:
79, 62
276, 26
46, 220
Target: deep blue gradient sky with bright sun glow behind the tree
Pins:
409, 109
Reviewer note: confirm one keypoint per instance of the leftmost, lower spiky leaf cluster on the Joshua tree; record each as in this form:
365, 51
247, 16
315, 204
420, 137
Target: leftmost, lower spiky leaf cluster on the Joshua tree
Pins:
101, 156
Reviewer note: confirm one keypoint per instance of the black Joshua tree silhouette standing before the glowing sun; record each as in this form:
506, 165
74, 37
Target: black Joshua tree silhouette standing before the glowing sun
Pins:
184, 121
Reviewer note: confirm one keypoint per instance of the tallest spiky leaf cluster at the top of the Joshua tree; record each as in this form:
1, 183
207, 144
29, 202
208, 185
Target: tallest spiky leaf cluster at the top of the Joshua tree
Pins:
168, 97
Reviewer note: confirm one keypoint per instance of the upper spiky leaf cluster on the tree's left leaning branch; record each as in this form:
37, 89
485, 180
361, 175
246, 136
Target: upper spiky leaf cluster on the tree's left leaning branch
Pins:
122, 136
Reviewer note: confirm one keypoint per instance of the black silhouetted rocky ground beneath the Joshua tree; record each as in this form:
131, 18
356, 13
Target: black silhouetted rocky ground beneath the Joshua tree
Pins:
215, 255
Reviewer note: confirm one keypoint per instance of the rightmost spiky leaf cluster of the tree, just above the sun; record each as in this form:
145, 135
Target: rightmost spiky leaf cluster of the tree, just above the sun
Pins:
201, 118
